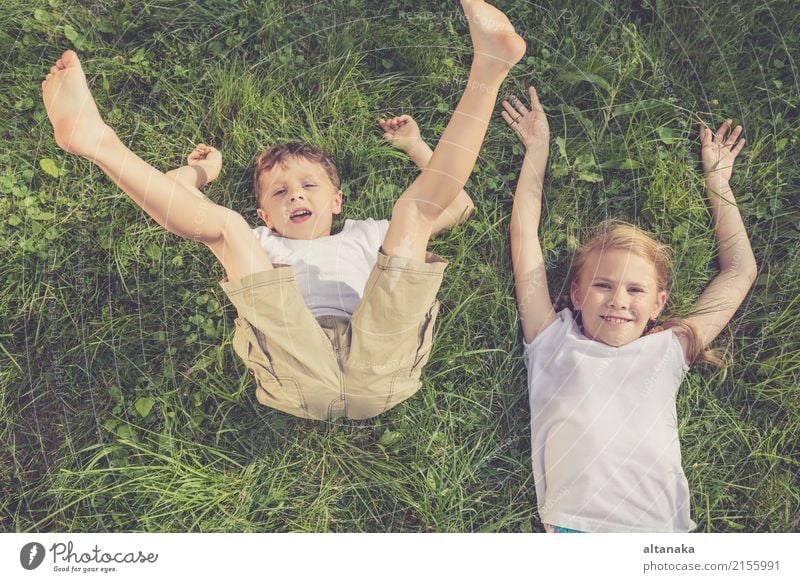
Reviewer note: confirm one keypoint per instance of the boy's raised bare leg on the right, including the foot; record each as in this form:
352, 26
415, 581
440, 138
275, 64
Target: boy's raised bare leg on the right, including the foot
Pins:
497, 48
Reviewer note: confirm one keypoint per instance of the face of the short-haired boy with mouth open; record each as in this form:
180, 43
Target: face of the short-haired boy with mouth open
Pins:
298, 199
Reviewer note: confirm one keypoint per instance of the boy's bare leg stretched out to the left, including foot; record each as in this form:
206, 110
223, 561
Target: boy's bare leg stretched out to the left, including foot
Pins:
79, 129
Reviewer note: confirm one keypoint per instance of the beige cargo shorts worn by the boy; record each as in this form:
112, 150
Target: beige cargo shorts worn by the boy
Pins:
334, 366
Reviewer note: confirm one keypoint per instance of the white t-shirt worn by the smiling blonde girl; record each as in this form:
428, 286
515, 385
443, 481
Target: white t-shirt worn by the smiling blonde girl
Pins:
606, 455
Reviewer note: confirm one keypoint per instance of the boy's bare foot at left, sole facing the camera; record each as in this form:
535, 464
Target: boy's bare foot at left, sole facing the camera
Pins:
77, 124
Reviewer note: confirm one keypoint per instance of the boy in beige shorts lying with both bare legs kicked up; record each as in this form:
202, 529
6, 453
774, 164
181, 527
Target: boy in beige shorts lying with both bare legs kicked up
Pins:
355, 358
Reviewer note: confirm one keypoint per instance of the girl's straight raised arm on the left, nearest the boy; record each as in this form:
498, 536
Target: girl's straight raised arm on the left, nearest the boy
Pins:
530, 278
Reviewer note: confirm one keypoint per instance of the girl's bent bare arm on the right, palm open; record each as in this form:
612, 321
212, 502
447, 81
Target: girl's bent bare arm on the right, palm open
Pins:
738, 268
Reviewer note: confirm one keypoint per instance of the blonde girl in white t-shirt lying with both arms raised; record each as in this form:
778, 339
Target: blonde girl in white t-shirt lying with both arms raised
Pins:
602, 374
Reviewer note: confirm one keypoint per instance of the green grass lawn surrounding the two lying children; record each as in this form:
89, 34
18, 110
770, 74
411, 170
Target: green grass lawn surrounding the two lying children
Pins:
122, 405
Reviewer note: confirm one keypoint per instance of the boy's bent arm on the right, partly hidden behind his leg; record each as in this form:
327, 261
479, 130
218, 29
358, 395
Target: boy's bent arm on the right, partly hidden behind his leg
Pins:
403, 133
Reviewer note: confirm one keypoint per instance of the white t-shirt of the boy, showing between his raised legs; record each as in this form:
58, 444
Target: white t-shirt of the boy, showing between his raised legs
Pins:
330, 271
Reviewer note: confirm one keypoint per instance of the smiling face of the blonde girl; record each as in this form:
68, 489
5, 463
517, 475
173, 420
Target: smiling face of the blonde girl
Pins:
617, 295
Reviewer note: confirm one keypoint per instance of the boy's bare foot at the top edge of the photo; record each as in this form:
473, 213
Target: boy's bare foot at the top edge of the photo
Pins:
497, 45
